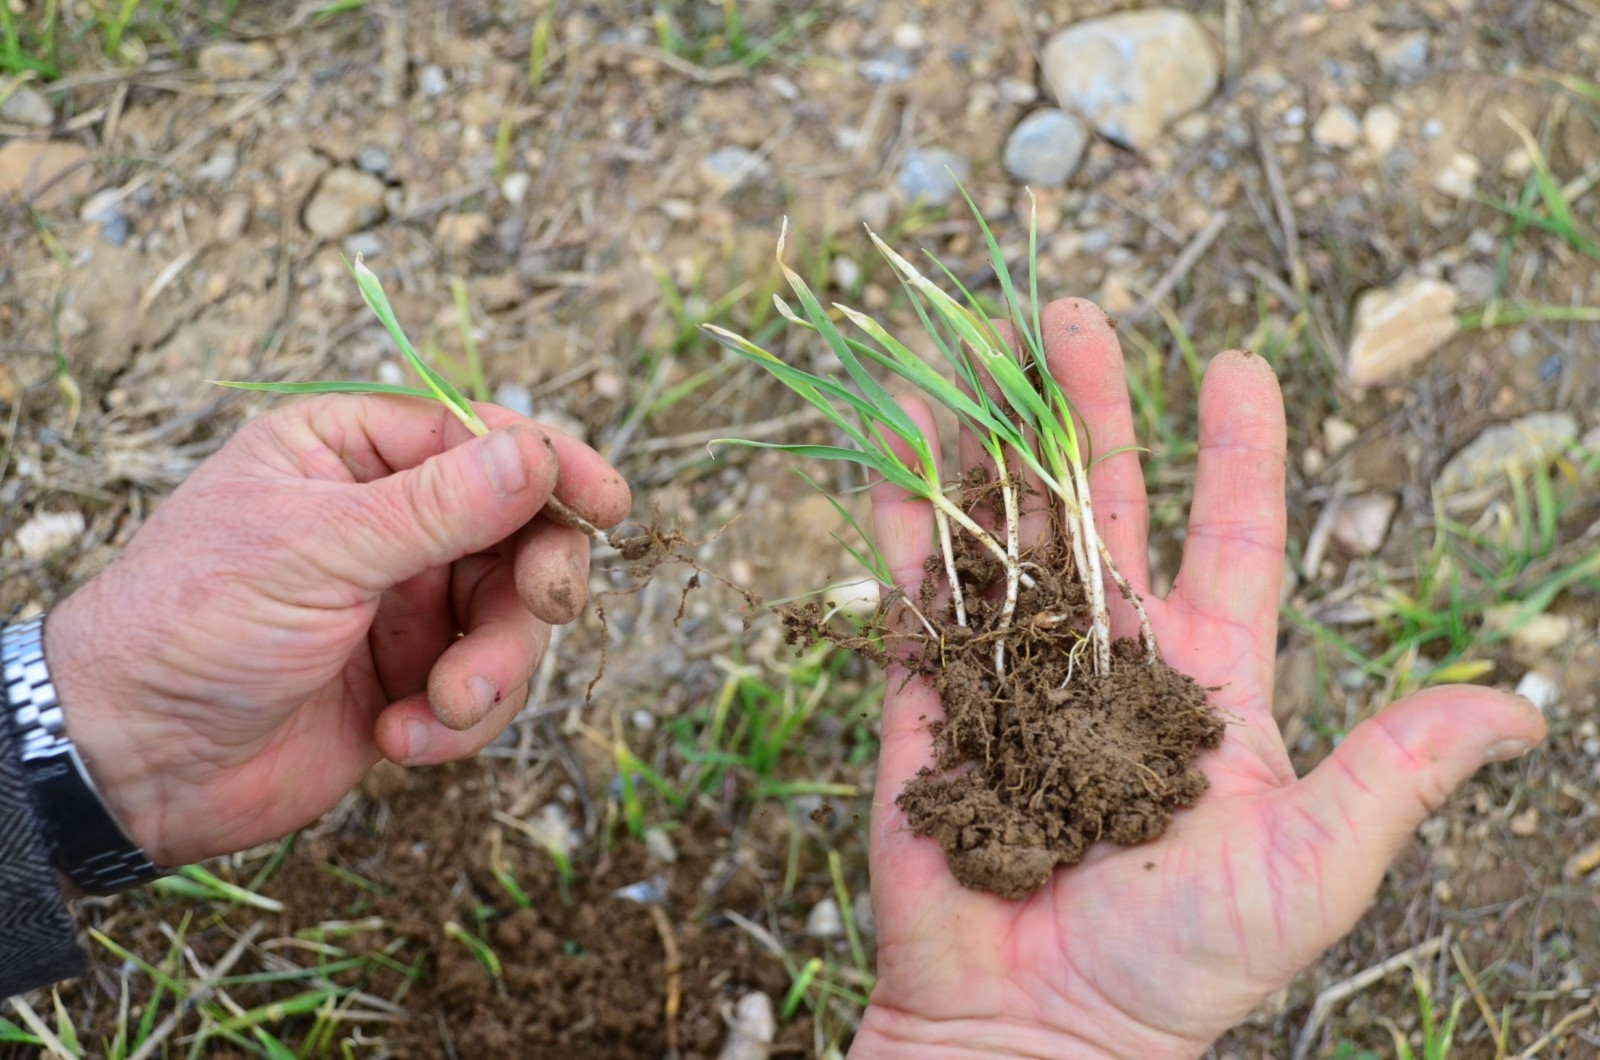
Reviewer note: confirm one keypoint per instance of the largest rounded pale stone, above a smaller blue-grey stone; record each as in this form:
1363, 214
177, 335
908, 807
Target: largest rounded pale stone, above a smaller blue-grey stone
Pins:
1130, 74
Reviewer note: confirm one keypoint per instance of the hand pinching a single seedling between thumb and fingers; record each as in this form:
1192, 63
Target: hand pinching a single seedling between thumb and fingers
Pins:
290, 616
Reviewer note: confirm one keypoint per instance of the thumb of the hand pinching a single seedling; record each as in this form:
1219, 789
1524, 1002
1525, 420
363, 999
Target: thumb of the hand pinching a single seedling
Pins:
452, 505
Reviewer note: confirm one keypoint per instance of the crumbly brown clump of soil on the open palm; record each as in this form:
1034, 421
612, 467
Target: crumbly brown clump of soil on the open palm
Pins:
1036, 766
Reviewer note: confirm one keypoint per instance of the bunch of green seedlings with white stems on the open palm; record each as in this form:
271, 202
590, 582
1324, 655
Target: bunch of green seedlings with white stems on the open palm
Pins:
1009, 401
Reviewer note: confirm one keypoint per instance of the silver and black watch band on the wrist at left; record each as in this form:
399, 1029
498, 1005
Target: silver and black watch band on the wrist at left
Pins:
86, 841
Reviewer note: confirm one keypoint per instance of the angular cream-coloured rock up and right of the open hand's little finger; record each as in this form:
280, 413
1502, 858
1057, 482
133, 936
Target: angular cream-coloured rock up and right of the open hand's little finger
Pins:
1398, 327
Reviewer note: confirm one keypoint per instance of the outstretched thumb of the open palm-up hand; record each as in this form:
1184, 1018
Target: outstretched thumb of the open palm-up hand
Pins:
1362, 805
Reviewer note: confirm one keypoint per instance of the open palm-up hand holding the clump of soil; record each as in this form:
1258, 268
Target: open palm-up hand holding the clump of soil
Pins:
1156, 950
